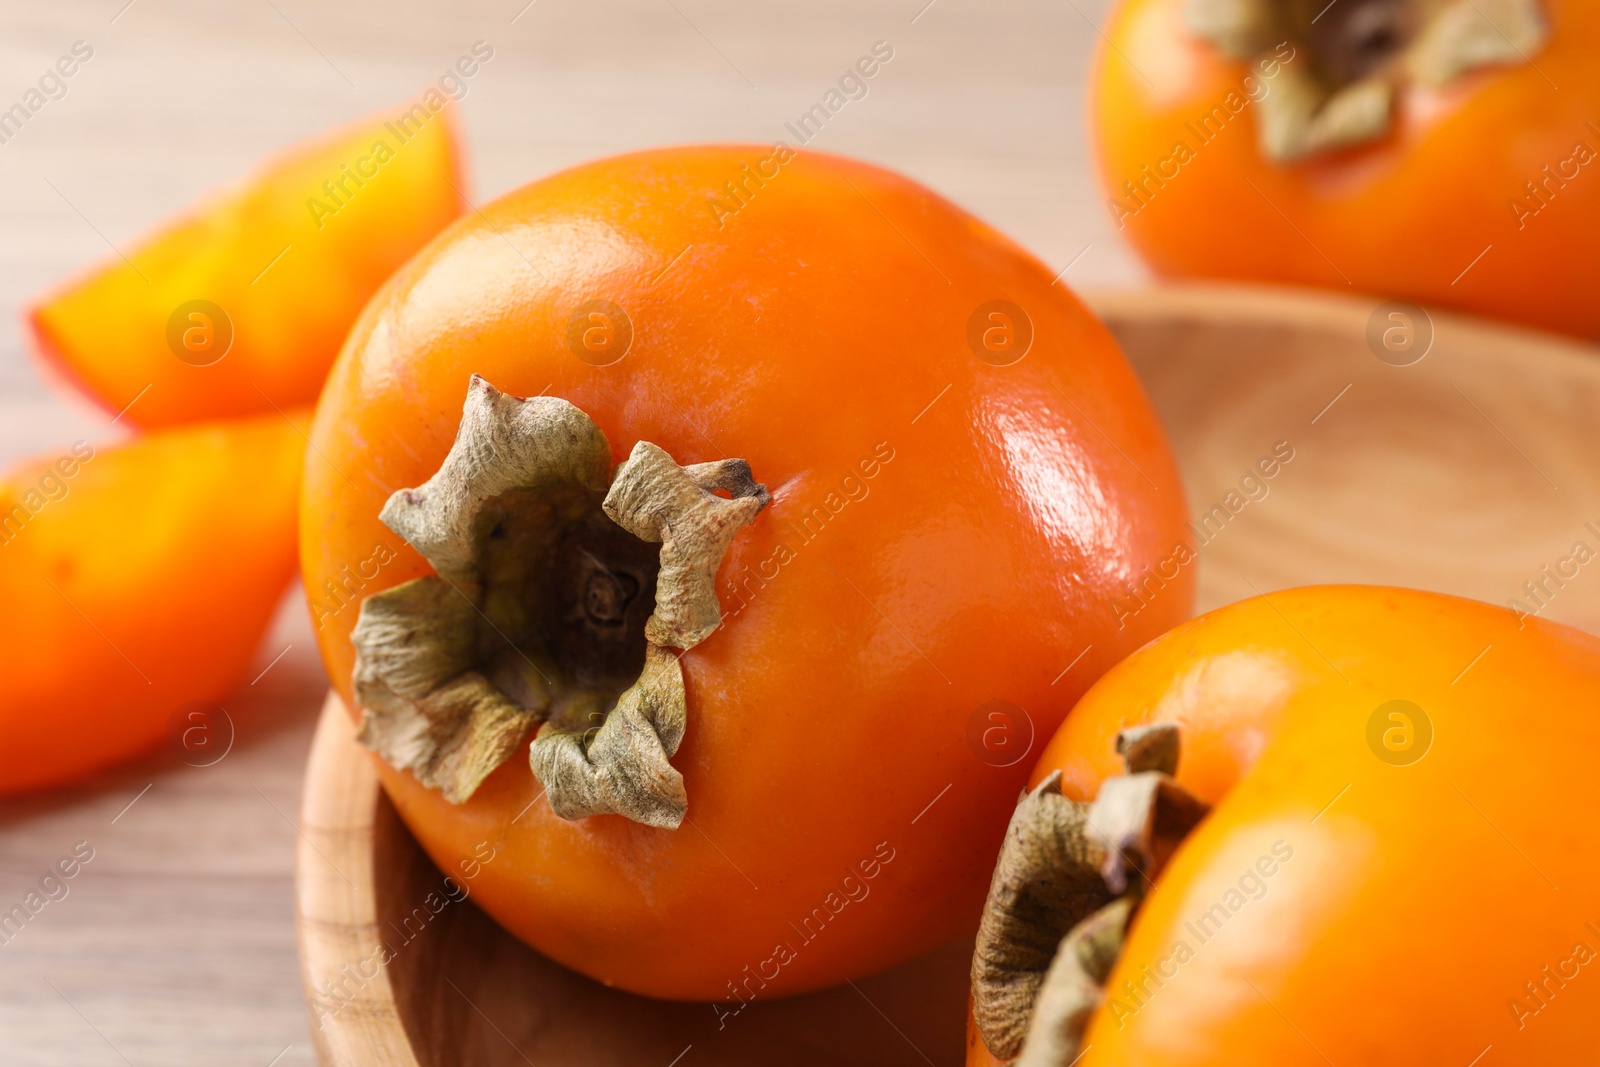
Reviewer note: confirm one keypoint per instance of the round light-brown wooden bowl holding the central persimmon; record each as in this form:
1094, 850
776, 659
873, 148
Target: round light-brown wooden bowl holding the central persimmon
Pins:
1466, 473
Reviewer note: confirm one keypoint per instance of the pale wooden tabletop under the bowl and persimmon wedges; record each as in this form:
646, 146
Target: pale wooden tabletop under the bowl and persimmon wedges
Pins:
177, 941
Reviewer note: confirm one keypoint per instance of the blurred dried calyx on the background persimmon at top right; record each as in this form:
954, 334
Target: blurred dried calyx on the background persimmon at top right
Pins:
1337, 87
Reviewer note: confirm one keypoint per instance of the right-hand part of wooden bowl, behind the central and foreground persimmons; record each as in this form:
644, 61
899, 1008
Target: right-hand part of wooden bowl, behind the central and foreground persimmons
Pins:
1466, 473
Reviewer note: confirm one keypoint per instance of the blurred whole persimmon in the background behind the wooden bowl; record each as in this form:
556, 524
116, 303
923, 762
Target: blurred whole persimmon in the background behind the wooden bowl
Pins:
1438, 151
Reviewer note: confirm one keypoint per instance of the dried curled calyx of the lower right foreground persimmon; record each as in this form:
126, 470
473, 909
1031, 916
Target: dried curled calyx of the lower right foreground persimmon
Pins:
1066, 887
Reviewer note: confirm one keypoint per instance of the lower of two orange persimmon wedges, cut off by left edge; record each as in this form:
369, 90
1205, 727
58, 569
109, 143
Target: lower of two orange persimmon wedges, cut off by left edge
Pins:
138, 583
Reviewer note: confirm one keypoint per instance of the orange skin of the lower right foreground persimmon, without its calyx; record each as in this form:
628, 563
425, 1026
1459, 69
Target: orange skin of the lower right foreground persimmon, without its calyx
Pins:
1446, 868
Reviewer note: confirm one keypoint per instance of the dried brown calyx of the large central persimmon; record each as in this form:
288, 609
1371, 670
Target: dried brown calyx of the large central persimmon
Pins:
561, 593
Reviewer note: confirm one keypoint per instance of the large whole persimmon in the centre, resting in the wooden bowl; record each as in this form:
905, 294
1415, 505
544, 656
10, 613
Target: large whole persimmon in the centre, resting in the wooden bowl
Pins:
748, 725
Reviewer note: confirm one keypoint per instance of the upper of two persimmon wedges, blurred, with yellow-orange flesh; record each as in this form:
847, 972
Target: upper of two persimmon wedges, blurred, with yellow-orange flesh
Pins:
108, 330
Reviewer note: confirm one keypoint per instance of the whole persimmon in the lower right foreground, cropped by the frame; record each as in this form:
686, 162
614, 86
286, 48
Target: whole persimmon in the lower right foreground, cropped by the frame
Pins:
1388, 785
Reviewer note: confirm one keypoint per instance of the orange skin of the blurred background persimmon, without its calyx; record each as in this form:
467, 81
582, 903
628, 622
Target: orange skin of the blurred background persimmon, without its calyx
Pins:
1399, 218
